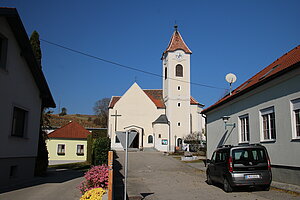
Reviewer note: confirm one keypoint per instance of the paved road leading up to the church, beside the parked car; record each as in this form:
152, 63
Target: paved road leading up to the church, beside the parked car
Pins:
155, 176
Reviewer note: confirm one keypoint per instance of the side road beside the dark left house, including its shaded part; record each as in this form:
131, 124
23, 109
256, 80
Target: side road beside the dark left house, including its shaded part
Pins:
58, 185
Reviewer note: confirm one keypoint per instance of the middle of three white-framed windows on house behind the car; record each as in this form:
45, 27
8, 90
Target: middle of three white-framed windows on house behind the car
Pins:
268, 124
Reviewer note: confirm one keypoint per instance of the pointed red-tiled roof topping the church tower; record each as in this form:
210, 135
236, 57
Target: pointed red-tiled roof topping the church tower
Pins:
176, 43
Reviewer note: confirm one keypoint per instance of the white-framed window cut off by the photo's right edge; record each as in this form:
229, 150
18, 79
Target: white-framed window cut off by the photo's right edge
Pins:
296, 118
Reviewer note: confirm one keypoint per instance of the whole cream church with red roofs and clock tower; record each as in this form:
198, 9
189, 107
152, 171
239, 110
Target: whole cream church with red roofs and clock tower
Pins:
161, 118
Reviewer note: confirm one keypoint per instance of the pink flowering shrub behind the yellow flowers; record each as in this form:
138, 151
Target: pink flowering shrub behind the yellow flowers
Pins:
96, 177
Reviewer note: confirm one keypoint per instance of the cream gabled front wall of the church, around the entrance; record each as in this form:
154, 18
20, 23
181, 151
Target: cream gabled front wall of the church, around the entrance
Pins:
136, 109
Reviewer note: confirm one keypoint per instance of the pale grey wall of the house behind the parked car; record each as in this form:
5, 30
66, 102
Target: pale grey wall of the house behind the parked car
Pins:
284, 150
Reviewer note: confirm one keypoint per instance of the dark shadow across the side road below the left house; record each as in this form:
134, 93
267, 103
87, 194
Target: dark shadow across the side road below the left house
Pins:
53, 176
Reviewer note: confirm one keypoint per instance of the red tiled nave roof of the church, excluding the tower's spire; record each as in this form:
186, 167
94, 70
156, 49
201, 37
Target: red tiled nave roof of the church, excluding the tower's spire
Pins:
156, 97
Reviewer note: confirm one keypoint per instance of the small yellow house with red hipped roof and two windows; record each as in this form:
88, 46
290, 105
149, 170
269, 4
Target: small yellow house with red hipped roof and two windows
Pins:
68, 144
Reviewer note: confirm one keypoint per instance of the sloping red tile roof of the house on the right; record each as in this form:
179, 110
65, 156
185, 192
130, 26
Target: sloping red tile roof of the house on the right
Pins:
283, 64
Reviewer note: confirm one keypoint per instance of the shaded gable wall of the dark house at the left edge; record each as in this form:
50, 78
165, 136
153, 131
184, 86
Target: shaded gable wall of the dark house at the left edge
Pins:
17, 88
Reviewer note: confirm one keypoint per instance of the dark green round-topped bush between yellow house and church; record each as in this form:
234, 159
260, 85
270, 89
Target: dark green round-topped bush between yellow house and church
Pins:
101, 147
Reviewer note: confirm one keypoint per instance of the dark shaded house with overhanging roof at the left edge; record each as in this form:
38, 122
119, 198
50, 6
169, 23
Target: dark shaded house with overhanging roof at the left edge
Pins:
24, 92
